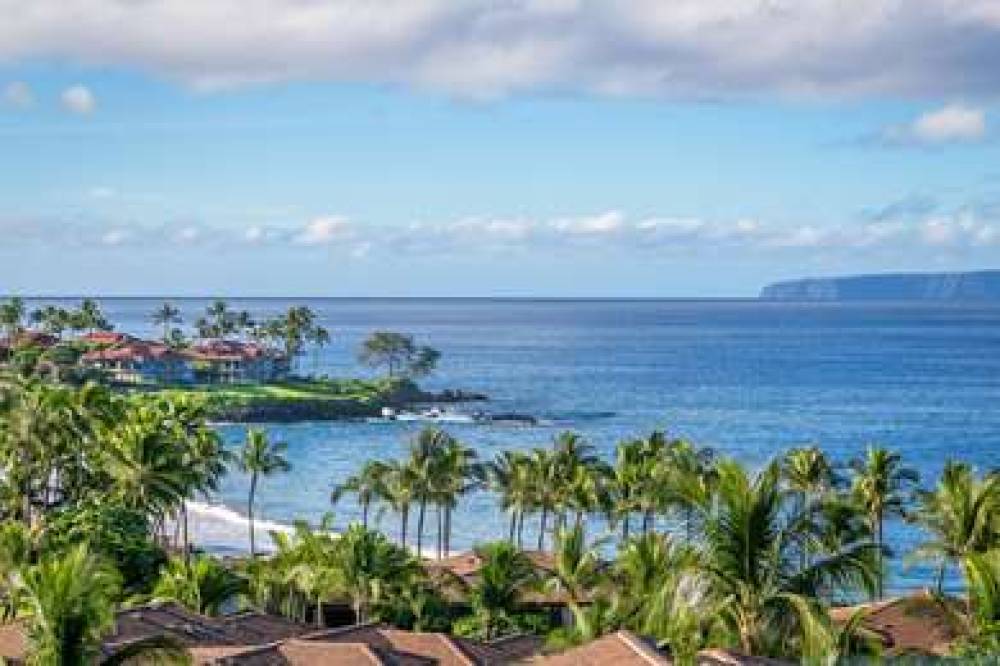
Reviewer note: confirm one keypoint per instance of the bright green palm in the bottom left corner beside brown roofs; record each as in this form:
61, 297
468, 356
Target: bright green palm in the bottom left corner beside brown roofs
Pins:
68, 603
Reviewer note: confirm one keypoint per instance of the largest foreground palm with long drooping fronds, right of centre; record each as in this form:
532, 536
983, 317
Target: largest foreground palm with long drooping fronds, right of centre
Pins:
749, 542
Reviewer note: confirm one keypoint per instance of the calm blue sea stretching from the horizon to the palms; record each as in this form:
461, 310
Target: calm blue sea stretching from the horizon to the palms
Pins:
750, 379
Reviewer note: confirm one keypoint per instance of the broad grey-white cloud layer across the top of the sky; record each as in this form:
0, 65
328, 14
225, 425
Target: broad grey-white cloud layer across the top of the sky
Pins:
682, 48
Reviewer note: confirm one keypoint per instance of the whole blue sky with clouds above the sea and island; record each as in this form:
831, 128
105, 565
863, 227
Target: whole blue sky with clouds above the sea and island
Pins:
696, 148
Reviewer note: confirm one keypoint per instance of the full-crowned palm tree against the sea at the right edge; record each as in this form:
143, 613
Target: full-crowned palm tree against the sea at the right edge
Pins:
962, 515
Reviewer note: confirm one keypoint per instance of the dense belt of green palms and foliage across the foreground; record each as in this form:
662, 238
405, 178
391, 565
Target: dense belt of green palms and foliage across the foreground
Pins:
698, 550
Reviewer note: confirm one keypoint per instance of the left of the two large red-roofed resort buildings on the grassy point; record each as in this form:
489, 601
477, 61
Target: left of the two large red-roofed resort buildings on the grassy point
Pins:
140, 362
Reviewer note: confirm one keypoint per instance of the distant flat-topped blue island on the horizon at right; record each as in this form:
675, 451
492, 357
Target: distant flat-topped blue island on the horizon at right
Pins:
963, 286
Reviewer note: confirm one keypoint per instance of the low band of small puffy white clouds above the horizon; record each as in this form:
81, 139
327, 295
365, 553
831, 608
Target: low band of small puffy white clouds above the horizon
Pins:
911, 230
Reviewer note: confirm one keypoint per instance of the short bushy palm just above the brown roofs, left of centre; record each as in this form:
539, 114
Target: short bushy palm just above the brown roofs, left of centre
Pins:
203, 584
